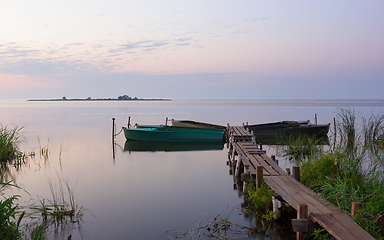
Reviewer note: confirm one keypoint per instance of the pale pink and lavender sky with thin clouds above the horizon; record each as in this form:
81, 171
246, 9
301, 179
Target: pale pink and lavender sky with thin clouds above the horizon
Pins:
211, 49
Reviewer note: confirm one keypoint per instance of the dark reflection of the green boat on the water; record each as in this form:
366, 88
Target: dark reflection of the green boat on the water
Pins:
142, 146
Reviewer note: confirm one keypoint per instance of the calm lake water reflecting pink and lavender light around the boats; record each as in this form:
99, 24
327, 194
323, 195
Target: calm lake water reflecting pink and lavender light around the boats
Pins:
143, 194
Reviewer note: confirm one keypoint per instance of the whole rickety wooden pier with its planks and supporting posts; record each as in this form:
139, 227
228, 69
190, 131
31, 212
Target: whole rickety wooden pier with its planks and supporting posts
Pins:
248, 159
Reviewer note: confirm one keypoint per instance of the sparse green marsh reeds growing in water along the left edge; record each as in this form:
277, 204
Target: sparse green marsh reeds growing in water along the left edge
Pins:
59, 214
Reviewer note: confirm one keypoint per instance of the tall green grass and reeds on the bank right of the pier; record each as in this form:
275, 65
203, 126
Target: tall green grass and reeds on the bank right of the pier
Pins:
353, 170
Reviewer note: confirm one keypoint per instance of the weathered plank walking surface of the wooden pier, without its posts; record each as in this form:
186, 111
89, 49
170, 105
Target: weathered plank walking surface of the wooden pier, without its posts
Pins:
336, 221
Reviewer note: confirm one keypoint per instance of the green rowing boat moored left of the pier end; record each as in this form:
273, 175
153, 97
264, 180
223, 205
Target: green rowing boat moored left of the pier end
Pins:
164, 133
